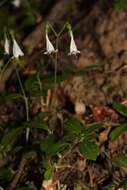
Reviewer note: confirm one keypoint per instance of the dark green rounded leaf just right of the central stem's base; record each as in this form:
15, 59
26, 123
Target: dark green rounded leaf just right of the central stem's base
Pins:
73, 127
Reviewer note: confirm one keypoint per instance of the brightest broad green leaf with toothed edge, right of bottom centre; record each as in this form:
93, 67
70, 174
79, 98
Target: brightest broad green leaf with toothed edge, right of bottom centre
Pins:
89, 150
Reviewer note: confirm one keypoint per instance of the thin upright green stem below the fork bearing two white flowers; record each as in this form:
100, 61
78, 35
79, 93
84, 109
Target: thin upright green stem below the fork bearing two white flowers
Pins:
55, 77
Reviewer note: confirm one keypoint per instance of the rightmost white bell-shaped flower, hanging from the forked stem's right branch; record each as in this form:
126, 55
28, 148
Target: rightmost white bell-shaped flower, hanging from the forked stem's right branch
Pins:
73, 47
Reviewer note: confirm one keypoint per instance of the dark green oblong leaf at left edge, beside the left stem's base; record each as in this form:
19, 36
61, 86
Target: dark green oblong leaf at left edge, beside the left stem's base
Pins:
11, 136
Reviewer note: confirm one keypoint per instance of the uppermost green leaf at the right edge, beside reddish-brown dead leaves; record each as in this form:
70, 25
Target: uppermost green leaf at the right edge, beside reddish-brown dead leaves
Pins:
121, 109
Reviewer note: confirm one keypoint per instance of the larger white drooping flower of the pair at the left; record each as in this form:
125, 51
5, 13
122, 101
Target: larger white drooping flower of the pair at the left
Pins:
16, 50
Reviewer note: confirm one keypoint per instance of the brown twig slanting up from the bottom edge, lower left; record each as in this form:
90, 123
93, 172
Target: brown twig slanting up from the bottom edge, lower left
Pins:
18, 174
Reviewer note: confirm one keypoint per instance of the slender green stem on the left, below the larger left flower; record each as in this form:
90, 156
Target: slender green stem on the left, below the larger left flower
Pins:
26, 103
